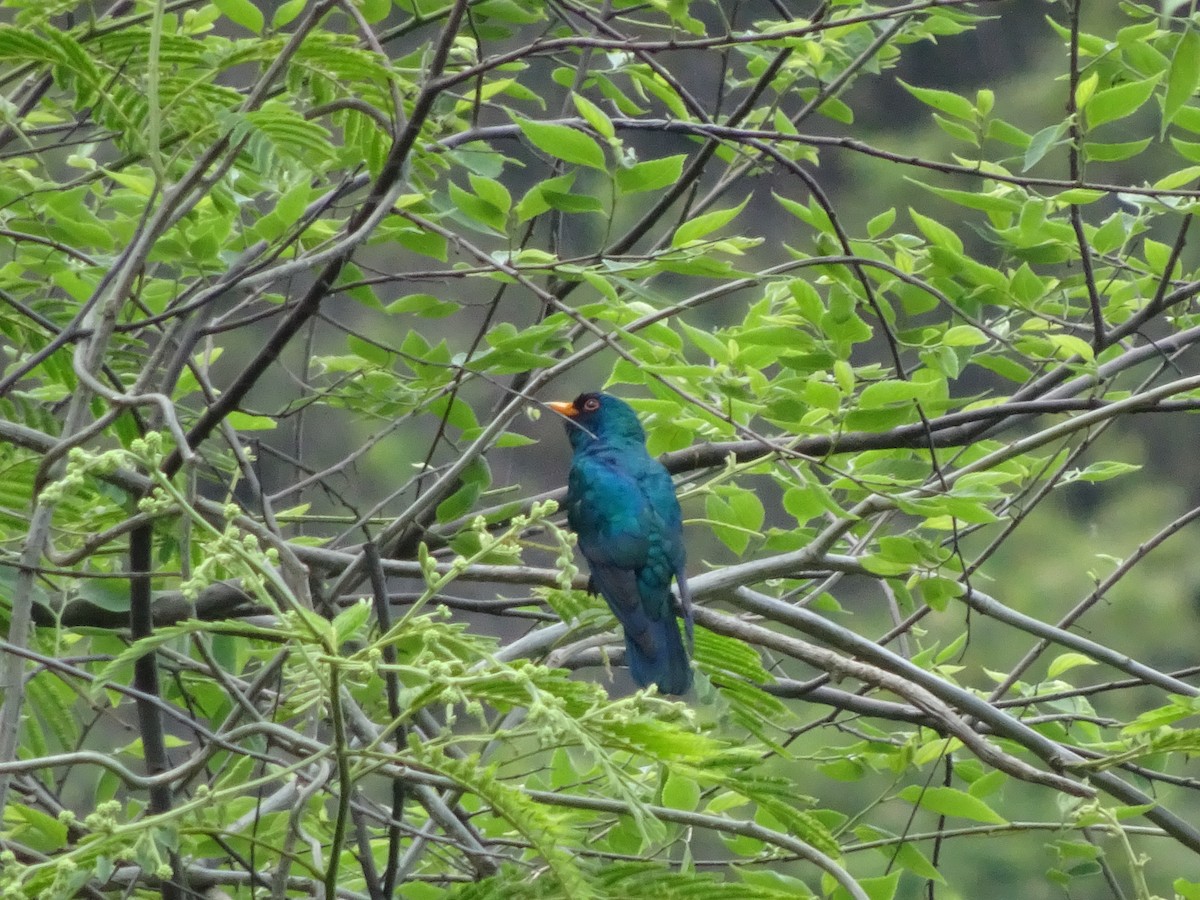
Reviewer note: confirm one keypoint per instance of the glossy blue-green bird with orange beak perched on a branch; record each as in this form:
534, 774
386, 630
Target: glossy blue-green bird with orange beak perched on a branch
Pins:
621, 502
